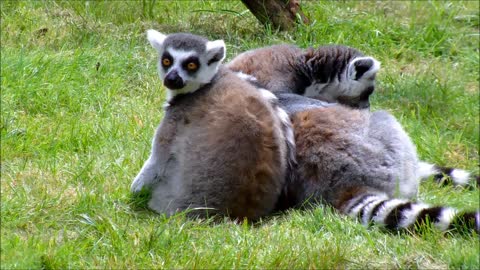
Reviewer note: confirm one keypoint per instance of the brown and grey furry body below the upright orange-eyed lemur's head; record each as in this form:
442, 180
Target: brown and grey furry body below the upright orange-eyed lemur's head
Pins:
221, 148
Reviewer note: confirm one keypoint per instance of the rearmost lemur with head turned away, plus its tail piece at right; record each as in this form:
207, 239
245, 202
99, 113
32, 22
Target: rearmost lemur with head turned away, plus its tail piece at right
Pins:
334, 74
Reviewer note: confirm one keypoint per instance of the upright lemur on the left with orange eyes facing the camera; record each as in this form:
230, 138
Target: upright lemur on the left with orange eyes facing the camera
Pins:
222, 146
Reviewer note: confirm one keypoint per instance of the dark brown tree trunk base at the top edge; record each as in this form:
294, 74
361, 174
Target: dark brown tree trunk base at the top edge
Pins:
281, 14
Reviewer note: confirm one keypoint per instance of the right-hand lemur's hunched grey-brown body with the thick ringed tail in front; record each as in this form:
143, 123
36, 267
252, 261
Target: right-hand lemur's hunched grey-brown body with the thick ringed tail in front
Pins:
363, 164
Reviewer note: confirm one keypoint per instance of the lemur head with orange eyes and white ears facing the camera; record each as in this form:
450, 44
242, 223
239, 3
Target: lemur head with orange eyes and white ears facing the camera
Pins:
187, 62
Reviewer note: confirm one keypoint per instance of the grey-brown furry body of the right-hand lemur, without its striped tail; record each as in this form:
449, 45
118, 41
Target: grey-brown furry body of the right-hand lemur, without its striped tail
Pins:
339, 148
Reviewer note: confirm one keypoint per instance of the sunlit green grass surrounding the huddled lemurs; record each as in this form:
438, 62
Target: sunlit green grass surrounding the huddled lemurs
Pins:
73, 137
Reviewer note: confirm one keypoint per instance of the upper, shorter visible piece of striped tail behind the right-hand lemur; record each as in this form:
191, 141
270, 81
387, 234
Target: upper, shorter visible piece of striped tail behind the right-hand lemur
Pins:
447, 175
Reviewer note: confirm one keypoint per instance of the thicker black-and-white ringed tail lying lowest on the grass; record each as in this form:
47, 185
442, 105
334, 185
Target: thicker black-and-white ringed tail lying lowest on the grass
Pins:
398, 214
